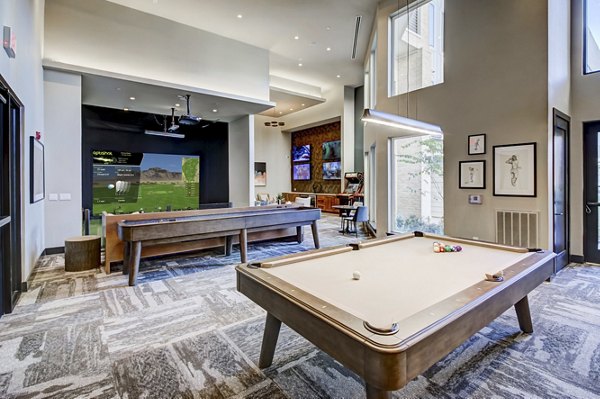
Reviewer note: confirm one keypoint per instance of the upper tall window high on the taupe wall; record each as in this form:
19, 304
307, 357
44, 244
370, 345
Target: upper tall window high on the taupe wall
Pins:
417, 47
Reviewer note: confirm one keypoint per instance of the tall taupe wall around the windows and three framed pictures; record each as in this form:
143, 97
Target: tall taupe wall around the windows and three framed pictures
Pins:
495, 83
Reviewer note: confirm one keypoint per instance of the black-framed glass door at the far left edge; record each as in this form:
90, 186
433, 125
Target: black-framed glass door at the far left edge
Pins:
10, 198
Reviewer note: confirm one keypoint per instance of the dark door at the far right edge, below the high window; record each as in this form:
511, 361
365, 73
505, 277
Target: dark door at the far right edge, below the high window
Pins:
591, 165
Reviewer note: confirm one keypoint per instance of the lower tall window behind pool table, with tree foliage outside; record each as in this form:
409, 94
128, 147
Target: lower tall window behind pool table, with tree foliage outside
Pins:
417, 184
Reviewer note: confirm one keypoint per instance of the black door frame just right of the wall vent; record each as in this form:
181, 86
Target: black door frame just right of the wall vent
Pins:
556, 116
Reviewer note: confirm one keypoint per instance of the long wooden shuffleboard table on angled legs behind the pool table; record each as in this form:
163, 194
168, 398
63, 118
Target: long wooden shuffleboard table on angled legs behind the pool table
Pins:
135, 233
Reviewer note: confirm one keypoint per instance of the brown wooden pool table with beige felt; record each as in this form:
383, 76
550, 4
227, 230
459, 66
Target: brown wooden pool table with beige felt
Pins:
408, 309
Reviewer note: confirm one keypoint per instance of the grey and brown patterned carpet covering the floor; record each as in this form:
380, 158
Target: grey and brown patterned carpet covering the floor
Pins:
185, 332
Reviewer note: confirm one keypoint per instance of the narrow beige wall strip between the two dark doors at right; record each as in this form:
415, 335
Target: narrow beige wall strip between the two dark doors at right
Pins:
585, 106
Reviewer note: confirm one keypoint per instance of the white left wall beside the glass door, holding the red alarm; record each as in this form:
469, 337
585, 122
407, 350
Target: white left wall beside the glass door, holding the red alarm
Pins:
24, 75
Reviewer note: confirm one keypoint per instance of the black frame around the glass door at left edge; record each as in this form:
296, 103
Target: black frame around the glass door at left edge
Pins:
11, 292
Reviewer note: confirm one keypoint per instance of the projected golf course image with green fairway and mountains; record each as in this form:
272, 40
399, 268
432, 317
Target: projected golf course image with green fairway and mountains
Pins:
134, 182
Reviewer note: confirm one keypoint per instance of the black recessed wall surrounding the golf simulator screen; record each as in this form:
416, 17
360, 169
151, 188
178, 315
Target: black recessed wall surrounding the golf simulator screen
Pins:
117, 130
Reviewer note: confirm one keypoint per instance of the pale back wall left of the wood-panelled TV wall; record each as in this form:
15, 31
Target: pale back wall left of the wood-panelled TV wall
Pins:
273, 146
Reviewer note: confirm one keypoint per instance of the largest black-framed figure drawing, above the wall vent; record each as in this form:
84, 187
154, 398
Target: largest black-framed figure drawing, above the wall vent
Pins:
515, 170
